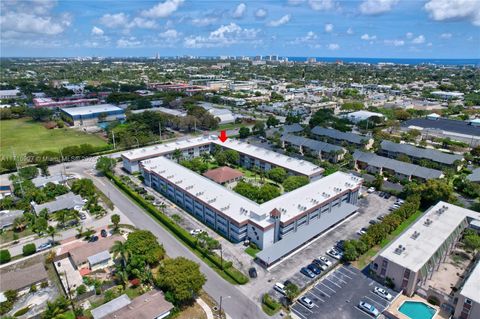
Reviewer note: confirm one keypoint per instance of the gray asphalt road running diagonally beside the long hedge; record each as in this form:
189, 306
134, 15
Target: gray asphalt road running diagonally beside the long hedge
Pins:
235, 303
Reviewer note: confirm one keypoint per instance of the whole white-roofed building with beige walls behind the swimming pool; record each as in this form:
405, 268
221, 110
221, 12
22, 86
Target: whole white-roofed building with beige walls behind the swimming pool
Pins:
411, 259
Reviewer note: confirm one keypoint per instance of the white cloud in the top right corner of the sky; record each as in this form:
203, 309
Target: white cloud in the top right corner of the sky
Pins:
441, 10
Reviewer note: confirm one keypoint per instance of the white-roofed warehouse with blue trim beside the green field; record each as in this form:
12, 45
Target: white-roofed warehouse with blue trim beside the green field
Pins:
93, 114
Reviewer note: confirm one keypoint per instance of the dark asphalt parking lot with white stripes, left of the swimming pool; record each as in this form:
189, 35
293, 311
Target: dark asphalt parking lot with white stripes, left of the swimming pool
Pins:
337, 296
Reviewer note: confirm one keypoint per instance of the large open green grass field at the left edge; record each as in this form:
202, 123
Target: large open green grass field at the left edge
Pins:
23, 136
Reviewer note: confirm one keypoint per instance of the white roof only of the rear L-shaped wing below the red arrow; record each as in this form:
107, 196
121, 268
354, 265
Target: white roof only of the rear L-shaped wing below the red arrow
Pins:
290, 163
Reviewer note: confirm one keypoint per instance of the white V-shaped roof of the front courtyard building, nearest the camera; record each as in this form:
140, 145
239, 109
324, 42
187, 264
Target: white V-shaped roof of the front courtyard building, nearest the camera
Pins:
242, 209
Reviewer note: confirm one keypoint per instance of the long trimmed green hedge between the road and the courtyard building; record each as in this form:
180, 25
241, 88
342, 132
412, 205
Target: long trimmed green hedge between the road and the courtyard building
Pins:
181, 233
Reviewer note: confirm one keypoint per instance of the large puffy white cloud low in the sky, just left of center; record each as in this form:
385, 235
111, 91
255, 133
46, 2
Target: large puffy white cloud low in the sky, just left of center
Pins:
225, 35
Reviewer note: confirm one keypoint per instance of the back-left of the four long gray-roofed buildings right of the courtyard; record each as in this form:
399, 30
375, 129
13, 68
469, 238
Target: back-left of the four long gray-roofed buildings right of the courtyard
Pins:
341, 138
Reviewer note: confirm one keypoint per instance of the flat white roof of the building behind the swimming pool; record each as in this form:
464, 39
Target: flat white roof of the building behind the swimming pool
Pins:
417, 251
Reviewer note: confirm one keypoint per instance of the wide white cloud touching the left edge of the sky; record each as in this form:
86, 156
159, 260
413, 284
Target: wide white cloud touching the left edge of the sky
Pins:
29, 23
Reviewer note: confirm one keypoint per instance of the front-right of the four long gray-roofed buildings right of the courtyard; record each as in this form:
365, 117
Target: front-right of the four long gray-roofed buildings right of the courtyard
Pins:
375, 164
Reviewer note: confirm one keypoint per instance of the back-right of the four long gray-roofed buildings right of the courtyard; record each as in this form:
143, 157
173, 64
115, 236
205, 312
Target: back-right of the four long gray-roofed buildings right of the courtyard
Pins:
417, 154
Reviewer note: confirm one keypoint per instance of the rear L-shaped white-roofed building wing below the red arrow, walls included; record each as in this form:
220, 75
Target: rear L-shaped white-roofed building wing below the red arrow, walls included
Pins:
250, 155
